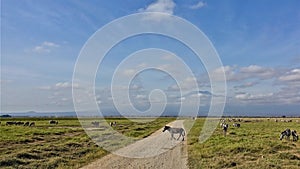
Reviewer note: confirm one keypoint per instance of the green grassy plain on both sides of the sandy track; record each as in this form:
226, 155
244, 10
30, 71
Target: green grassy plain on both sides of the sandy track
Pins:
255, 144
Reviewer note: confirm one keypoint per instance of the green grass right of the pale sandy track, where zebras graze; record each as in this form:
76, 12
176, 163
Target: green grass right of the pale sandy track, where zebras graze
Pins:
255, 145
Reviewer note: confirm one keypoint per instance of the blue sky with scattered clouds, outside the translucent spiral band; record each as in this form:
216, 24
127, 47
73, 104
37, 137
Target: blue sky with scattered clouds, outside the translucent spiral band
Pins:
257, 41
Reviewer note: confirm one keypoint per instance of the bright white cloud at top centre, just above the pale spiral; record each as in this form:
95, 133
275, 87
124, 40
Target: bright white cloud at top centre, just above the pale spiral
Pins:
163, 6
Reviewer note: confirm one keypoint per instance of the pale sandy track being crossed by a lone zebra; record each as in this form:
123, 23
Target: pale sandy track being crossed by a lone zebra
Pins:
155, 151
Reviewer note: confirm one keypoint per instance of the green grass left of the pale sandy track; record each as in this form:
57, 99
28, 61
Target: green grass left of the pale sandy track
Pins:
65, 145
